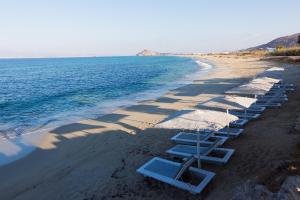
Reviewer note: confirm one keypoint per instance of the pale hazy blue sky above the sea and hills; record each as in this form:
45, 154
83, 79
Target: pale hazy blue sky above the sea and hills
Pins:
37, 28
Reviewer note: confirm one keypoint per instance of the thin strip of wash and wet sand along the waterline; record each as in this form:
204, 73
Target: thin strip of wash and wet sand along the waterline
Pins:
22, 145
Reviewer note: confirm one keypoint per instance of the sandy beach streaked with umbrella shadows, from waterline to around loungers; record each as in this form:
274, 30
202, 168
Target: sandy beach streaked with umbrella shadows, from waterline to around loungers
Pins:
97, 159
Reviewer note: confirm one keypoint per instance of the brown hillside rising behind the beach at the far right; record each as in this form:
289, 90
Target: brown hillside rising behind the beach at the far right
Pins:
286, 41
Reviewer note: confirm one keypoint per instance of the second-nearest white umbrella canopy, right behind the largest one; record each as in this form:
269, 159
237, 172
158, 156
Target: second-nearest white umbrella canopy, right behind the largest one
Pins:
230, 102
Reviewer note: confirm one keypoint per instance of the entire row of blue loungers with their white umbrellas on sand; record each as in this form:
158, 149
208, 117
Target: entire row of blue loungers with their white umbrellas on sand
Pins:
206, 129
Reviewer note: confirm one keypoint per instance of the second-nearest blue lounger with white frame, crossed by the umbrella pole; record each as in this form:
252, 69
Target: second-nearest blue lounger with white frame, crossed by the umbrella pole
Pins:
207, 154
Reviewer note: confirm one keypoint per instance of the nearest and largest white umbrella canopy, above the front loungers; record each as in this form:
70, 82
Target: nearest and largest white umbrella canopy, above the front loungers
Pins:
197, 120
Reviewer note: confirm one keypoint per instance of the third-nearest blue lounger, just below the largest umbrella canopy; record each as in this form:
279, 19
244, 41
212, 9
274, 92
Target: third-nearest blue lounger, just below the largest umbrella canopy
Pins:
191, 138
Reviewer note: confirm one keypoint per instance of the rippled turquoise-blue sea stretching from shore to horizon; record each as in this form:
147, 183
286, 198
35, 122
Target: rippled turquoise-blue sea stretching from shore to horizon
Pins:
37, 93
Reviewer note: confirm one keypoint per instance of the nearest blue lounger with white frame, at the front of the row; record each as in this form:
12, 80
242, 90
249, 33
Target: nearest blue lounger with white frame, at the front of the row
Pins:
170, 172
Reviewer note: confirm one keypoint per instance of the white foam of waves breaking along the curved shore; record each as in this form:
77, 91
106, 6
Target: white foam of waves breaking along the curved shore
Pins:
16, 147
